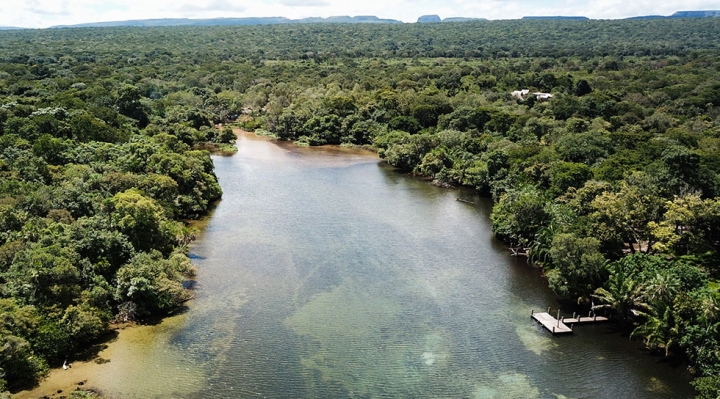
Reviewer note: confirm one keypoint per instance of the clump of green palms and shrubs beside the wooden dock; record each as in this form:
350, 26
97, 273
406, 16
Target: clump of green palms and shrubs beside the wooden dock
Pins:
669, 304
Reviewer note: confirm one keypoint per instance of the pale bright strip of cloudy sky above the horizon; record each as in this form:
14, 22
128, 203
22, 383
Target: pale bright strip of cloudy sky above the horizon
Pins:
46, 13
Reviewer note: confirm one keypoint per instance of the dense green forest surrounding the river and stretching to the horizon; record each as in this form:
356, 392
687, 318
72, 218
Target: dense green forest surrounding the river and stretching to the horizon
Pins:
612, 185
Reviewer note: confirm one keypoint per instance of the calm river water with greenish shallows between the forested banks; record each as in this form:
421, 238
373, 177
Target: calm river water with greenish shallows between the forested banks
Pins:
323, 273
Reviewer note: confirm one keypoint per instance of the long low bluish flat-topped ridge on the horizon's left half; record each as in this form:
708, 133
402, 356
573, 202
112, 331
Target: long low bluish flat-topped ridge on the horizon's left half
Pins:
363, 19
